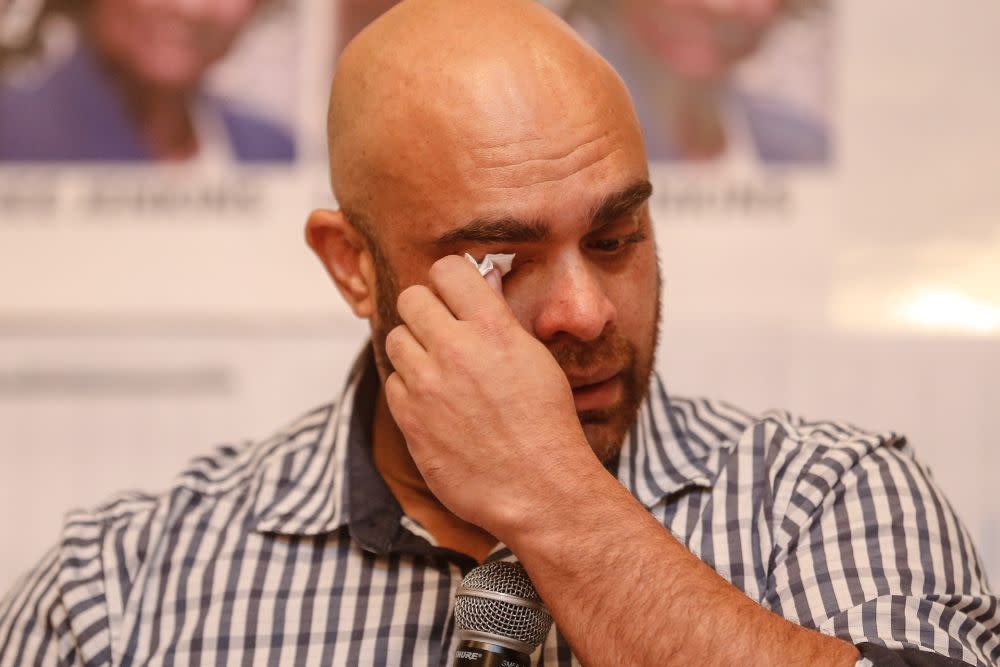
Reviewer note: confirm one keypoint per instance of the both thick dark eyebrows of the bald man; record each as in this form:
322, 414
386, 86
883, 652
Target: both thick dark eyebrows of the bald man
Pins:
496, 230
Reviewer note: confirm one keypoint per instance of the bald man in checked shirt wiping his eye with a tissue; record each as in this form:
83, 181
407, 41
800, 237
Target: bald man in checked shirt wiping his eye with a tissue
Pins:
508, 420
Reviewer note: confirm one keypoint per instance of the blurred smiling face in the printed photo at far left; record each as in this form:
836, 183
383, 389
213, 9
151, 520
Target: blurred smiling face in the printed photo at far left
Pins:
167, 43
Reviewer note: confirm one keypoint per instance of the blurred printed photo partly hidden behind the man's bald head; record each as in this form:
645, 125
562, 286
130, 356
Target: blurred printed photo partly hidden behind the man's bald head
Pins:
742, 83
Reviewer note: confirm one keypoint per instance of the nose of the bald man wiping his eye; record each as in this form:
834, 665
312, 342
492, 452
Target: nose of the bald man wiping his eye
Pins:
573, 302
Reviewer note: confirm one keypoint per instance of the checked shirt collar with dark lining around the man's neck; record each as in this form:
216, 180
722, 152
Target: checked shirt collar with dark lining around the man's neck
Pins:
331, 481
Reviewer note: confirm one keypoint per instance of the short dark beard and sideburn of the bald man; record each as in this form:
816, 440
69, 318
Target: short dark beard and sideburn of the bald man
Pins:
605, 428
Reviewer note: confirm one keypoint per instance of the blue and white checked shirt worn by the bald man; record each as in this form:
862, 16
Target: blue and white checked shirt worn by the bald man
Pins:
293, 551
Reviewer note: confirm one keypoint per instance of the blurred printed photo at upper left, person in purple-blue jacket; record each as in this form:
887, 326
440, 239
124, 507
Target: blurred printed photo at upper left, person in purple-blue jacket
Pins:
180, 81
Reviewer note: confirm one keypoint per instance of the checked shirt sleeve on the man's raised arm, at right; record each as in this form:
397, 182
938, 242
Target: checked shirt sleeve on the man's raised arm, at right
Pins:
873, 553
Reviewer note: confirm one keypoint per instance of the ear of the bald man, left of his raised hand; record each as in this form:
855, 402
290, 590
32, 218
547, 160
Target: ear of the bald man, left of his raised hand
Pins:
346, 257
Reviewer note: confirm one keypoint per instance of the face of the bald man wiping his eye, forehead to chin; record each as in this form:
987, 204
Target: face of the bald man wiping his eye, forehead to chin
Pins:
566, 193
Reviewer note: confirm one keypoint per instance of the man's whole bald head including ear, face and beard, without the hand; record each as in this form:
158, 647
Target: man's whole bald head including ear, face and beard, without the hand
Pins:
486, 126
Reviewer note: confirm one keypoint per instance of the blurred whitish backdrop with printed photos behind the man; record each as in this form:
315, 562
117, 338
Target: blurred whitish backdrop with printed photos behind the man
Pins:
825, 195
